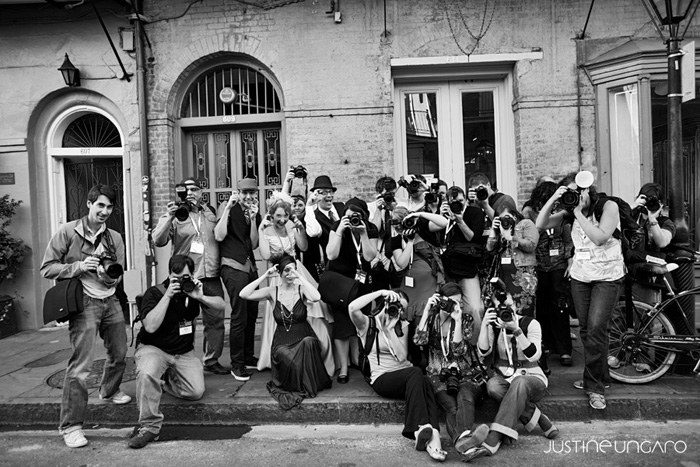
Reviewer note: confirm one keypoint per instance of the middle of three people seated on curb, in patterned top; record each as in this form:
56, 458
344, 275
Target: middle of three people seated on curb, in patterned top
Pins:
454, 368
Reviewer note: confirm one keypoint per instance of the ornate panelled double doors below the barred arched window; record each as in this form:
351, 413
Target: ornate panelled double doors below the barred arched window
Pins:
218, 159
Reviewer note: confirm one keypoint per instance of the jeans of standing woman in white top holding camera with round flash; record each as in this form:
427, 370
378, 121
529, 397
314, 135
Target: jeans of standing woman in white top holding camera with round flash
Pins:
594, 302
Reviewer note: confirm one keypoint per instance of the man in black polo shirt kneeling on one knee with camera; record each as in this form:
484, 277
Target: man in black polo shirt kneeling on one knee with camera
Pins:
165, 346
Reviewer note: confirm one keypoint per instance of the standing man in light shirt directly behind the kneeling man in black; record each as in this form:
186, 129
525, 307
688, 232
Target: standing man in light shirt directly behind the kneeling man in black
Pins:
193, 236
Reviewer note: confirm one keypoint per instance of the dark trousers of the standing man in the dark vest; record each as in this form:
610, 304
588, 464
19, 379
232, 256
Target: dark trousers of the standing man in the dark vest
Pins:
244, 313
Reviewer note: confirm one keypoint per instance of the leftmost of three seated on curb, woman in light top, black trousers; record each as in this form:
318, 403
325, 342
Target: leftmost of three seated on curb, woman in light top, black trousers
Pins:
393, 376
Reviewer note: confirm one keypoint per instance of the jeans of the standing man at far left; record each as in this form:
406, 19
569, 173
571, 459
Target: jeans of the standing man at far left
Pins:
106, 317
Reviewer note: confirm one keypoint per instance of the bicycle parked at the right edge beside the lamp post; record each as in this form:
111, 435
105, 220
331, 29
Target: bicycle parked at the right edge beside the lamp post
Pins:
643, 344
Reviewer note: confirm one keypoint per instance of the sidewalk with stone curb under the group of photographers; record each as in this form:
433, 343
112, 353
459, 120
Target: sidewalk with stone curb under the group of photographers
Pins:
33, 361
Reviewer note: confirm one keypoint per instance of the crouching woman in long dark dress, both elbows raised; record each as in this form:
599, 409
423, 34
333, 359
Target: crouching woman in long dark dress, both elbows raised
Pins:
297, 360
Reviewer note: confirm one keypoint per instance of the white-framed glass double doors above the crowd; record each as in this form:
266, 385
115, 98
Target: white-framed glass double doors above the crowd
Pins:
454, 129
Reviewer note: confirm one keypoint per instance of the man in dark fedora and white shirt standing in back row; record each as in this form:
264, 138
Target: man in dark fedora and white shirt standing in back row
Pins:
321, 214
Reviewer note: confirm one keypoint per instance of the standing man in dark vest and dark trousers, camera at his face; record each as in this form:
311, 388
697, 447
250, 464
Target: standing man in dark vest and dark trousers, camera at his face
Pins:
237, 234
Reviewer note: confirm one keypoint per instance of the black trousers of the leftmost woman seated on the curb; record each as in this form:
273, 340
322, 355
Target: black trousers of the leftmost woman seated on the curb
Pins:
410, 385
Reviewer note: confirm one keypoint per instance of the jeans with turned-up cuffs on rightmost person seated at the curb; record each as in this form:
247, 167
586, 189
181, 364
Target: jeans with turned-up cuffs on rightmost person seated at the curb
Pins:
517, 402
